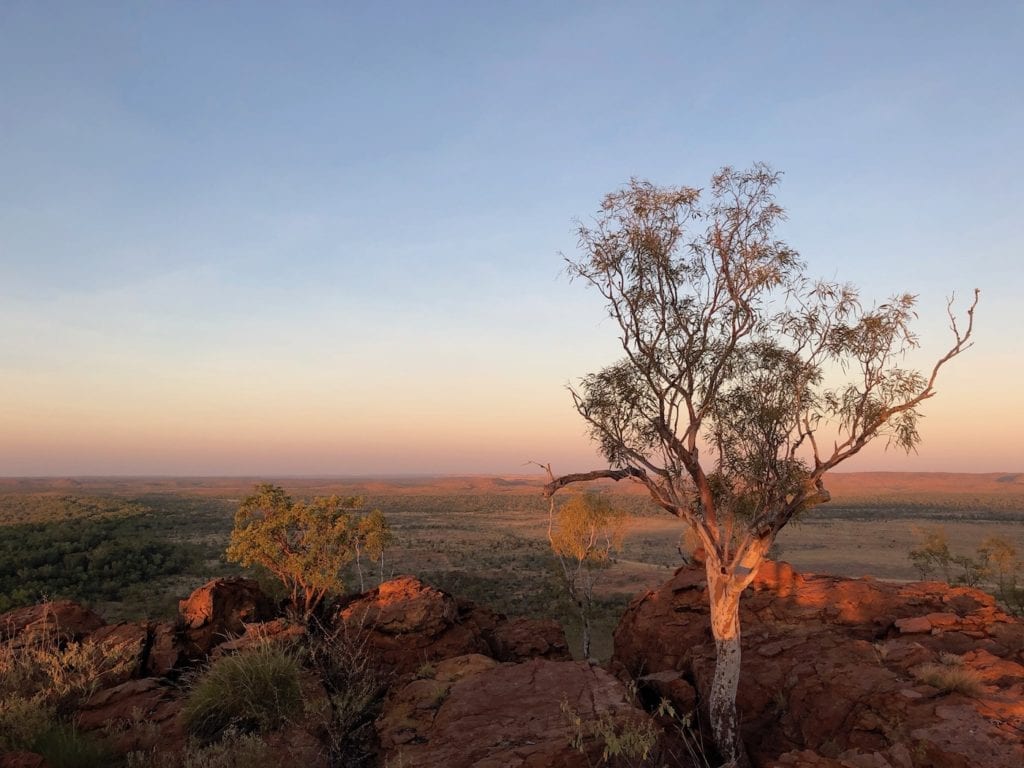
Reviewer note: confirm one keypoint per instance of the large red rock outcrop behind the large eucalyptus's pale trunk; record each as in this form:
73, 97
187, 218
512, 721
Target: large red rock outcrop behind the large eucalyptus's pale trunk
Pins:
848, 672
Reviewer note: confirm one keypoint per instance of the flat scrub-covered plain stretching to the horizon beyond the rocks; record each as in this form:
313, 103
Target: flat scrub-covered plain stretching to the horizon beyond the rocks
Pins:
132, 547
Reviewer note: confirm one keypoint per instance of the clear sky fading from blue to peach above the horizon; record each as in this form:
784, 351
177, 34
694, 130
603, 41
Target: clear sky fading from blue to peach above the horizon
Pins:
309, 239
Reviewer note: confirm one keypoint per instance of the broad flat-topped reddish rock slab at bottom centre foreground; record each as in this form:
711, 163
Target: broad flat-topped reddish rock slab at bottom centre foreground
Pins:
473, 711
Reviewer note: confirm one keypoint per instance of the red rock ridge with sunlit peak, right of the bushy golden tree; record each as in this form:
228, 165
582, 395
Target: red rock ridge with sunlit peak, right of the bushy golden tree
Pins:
409, 624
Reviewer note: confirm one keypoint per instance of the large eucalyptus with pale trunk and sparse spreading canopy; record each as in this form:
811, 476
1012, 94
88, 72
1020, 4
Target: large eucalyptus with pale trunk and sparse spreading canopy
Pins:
743, 383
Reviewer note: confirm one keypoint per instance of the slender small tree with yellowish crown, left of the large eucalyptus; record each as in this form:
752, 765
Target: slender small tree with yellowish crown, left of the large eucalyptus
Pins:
584, 534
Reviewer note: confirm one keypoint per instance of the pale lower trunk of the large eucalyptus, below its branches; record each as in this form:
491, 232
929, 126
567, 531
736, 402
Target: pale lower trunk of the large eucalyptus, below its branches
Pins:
724, 598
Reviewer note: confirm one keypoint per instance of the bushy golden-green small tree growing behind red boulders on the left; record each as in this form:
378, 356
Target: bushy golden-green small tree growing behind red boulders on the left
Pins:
306, 545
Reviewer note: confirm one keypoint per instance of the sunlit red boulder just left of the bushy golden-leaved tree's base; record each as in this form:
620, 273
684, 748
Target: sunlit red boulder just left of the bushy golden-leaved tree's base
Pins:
220, 611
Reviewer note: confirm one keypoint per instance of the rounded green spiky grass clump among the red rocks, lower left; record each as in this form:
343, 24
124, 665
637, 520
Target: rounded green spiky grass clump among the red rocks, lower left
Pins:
257, 691
